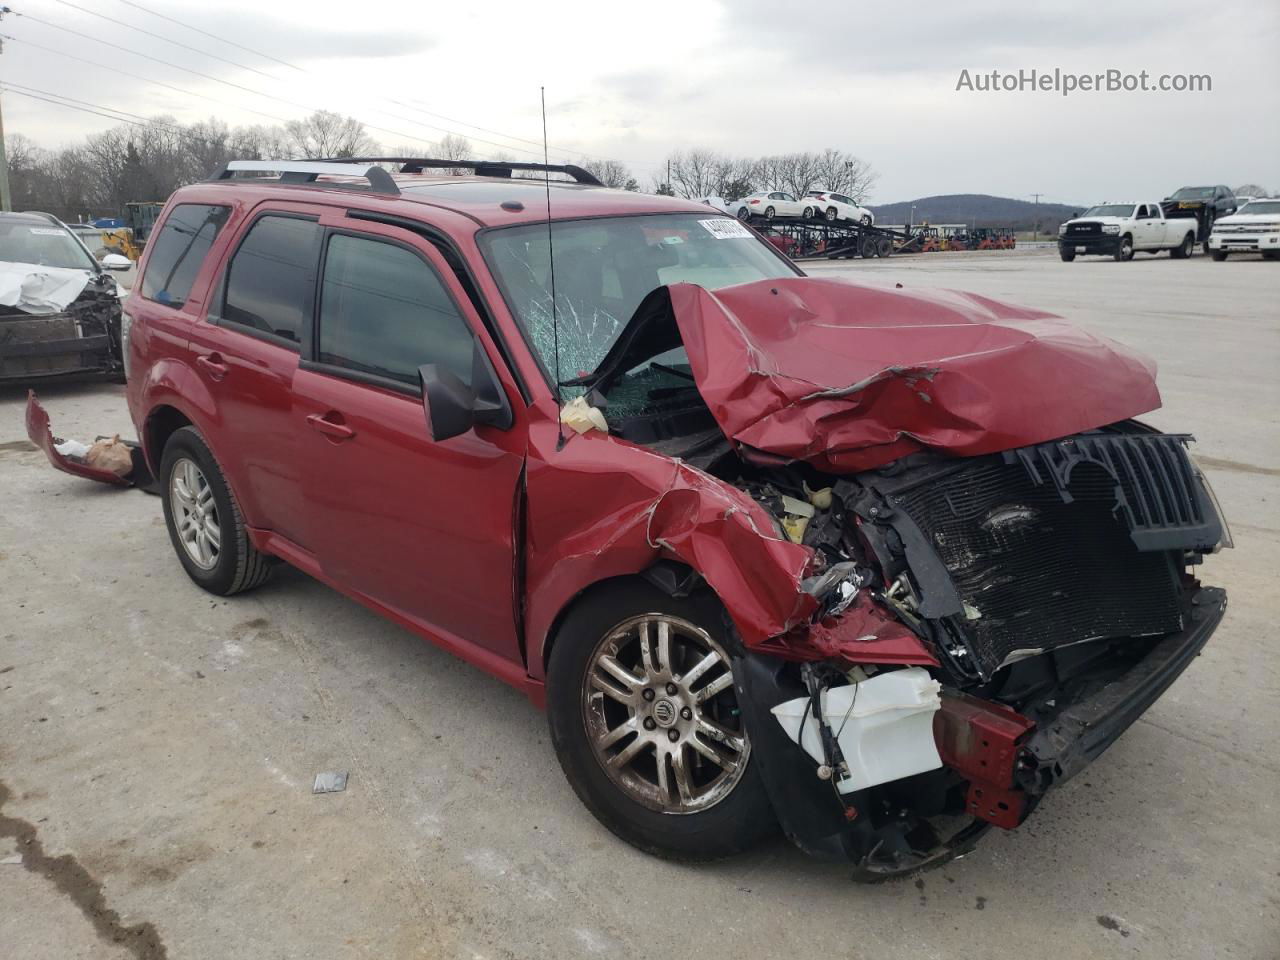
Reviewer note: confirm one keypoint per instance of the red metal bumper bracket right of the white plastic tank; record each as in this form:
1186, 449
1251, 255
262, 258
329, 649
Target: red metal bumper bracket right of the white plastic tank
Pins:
980, 740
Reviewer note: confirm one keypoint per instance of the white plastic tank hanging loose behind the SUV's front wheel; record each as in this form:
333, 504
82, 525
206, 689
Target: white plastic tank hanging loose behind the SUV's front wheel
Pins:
884, 726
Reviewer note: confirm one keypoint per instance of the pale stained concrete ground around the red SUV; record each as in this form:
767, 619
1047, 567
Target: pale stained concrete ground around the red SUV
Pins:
158, 746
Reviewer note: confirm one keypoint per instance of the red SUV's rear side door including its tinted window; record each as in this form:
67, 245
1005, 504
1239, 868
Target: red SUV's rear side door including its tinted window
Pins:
248, 355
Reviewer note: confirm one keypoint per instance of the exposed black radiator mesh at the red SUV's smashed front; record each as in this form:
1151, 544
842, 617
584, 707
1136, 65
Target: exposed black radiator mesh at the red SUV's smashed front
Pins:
1040, 572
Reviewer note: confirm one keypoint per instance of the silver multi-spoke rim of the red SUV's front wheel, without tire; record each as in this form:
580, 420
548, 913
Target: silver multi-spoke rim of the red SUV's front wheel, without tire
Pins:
653, 708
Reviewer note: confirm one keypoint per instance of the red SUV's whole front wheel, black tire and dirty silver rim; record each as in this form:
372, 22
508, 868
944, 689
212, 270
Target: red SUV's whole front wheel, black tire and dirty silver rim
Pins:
644, 719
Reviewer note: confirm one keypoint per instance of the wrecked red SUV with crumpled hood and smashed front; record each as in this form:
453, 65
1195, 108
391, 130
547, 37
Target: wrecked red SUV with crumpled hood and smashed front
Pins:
876, 566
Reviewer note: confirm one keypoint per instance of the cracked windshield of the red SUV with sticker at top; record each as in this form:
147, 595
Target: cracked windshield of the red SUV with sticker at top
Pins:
605, 268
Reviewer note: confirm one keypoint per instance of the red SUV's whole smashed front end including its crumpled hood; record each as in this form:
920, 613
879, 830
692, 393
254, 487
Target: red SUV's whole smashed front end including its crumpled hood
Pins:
998, 578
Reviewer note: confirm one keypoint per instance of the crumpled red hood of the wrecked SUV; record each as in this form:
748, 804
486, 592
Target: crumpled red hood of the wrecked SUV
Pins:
849, 378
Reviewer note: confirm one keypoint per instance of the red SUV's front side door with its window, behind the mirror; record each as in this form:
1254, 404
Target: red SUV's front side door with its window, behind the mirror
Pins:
423, 528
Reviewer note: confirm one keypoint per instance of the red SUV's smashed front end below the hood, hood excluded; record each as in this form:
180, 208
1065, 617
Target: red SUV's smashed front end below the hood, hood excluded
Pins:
1053, 587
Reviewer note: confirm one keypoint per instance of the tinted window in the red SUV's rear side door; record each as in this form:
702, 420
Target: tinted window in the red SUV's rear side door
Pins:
271, 281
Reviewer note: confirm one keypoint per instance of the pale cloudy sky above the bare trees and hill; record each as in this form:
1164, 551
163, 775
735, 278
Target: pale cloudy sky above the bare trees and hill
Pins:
637, 81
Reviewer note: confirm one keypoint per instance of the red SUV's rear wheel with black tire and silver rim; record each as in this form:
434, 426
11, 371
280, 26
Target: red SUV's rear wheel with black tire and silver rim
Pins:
205, 524
